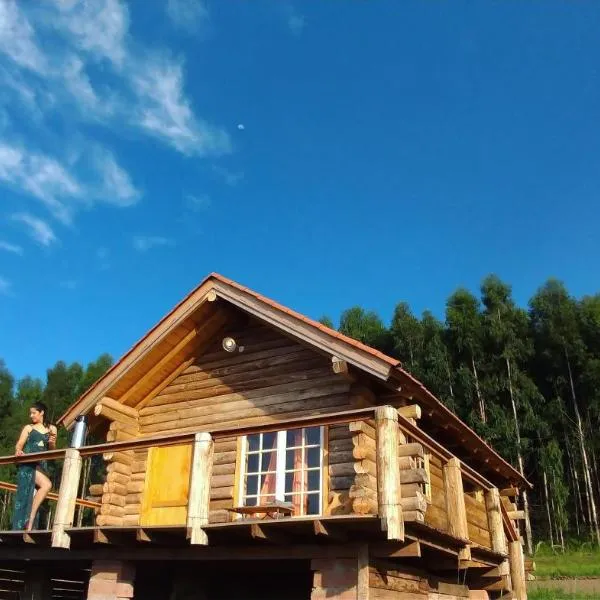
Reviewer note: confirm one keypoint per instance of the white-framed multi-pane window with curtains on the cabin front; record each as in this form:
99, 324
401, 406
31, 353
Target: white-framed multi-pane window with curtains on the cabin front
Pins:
285, 466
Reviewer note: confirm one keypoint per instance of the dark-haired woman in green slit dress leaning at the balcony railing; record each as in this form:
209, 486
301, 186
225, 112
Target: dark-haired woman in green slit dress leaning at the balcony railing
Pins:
37, 437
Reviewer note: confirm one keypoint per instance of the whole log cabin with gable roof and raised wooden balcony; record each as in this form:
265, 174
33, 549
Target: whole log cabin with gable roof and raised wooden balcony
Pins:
251, 452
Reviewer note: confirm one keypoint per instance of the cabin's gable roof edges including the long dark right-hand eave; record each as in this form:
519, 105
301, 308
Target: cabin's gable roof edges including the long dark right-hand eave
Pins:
387, 370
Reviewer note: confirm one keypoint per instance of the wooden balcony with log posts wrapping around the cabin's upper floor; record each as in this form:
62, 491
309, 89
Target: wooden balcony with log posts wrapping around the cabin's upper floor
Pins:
369, 474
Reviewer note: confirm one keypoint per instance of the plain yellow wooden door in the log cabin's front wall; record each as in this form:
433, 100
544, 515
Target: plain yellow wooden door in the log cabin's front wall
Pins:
167, 486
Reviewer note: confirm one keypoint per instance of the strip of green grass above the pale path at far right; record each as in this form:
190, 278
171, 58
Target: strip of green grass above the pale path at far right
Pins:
582, 560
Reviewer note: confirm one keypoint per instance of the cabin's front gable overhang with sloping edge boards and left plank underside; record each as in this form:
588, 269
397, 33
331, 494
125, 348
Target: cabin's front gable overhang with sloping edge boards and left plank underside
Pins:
166, 349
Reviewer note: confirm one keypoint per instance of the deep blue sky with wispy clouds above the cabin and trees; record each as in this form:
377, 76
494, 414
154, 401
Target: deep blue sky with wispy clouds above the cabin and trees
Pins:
325, 153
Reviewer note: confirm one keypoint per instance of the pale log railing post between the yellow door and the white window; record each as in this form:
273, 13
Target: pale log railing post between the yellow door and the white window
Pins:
200, 476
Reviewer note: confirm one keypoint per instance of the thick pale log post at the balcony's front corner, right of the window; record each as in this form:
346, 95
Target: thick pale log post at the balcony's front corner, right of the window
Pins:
388, 472
